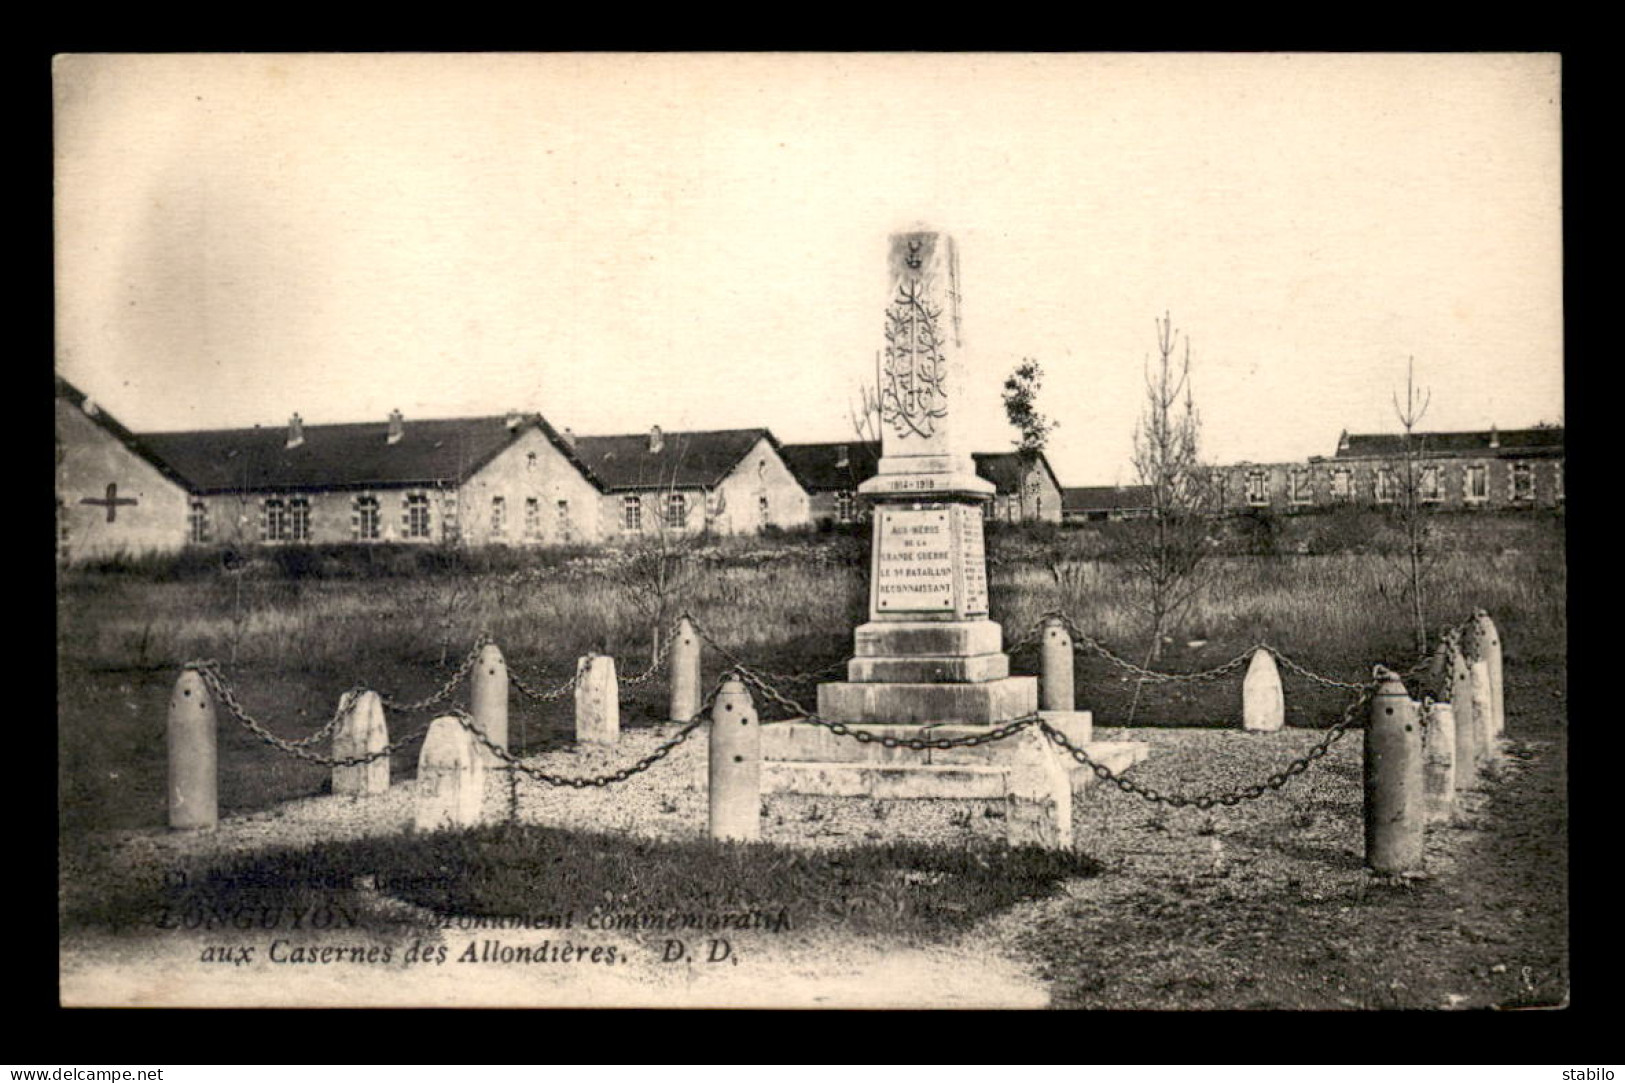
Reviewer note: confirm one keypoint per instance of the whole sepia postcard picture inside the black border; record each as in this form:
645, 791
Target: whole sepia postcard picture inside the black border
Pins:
812, 531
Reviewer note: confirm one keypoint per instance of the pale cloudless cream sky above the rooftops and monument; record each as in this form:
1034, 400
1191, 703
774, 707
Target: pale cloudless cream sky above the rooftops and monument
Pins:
700, 241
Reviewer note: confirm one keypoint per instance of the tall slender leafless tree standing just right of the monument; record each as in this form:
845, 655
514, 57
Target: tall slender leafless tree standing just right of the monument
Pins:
1168, 550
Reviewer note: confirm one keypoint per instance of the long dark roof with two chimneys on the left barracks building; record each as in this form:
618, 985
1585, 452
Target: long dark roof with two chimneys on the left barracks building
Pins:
350, 456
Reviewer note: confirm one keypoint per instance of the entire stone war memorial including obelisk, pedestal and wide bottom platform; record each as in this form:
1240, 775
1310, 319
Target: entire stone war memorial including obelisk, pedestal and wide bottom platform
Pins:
930, 664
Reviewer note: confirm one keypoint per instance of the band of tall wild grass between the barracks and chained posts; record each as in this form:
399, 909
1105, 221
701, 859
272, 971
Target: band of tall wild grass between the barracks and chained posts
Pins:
794, 598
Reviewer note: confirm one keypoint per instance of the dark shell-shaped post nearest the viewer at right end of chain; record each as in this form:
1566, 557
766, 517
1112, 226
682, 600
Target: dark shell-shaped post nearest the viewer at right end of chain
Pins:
1395, 788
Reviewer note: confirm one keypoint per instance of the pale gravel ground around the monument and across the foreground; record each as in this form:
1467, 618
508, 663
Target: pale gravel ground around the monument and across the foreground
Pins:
1265, 905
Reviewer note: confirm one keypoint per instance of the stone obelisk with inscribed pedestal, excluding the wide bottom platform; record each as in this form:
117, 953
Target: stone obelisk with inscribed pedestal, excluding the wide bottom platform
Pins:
929, 653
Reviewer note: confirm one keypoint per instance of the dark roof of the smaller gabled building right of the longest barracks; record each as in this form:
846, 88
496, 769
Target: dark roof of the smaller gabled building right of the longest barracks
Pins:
685, 459
